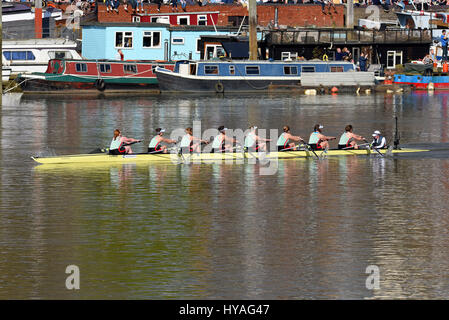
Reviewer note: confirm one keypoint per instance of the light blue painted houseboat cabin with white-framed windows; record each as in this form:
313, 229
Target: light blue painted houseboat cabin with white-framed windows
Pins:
149, 41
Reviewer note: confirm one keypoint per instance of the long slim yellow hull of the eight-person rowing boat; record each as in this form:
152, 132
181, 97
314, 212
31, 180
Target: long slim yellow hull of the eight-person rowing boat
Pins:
177, 158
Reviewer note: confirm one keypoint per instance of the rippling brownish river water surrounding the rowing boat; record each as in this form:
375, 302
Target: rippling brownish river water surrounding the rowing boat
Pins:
220, 230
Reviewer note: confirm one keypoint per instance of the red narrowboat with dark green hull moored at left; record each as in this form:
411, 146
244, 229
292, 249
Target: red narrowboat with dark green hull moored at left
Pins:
101, 75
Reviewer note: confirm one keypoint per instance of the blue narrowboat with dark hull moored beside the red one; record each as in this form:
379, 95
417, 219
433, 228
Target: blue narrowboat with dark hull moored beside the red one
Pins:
238, 76
